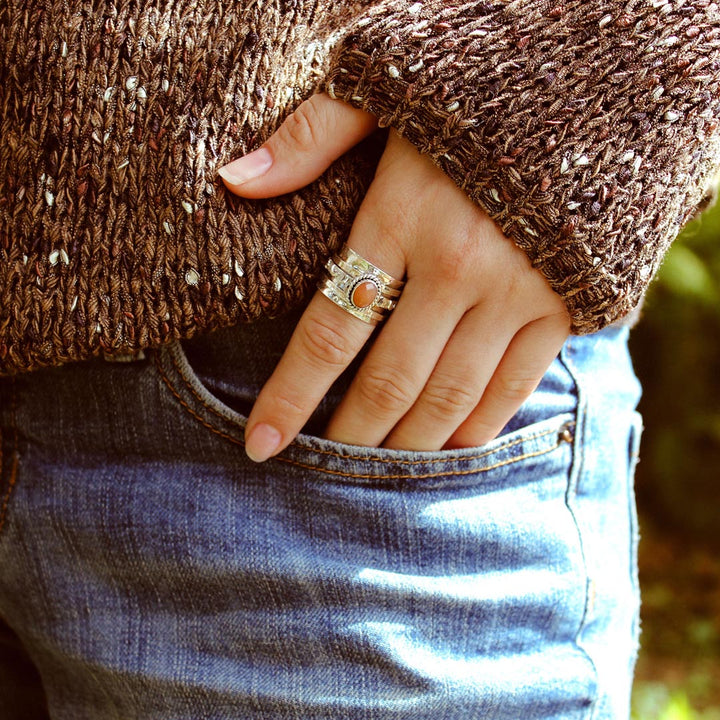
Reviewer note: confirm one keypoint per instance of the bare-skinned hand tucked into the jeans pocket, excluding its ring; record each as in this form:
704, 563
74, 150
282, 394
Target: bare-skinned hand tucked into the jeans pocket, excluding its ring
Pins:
475, 328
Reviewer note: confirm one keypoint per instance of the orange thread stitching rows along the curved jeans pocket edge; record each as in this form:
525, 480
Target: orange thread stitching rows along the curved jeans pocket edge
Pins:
339, 473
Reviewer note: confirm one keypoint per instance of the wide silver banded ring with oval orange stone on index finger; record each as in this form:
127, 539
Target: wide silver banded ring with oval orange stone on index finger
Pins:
359, 287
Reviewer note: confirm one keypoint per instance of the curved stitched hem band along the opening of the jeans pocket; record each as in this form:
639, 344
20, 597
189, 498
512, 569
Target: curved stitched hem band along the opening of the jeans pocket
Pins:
534, 450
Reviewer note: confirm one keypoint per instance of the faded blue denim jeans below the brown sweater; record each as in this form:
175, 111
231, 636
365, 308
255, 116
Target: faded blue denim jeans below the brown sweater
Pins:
149, 570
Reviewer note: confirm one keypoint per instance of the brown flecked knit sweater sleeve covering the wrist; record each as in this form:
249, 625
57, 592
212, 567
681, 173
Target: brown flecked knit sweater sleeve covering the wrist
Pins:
589, 130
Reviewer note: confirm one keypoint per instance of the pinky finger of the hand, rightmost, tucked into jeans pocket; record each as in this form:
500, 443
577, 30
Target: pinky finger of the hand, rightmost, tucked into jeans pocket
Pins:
523, 365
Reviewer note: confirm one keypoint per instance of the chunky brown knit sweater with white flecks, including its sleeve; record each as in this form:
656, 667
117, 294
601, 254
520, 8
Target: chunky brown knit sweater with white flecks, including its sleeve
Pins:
588, 129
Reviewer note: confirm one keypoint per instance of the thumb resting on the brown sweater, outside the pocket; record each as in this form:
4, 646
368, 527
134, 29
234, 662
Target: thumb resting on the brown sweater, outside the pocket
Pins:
318, 132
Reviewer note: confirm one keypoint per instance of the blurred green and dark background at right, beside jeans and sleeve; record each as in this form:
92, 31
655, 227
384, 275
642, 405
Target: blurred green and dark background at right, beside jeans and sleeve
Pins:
676, 350
